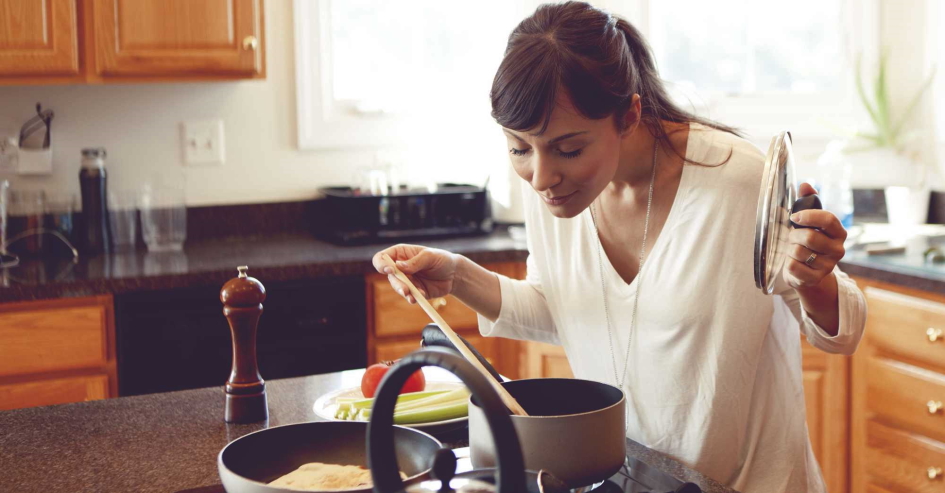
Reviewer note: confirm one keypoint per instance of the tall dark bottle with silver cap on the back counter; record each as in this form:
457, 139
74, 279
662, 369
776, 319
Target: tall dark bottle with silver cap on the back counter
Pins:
93, 182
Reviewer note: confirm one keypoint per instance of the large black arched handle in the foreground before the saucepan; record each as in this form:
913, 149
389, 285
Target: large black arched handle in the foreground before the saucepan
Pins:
510, 471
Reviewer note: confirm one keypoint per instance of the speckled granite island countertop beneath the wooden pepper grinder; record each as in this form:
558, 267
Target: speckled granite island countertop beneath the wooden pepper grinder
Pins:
169, 442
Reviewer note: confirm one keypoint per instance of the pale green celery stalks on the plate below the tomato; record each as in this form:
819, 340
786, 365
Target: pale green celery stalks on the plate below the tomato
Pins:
412, 408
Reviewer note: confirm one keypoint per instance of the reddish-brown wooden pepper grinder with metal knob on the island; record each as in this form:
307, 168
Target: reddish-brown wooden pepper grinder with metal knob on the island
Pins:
242, 299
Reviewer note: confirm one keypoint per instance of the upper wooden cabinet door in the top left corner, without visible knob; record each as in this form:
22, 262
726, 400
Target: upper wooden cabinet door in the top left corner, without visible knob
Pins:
38, 38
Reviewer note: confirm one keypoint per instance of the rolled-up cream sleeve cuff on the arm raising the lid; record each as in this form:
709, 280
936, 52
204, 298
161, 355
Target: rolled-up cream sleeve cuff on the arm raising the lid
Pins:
852, 311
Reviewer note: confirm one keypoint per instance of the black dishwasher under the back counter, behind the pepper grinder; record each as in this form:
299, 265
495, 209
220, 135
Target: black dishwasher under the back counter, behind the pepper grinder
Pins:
179, 339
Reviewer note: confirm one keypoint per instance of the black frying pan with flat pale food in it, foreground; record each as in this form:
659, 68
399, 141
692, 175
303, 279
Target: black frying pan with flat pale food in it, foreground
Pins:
249, 463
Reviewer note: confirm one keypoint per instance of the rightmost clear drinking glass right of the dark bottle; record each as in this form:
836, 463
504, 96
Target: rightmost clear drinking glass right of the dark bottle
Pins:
163, 218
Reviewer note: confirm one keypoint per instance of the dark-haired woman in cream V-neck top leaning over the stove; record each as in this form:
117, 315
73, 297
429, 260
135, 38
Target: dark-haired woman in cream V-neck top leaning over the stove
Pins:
640, 229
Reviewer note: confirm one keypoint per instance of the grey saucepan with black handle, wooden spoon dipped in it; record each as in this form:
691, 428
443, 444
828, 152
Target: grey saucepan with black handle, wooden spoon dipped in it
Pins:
576, 429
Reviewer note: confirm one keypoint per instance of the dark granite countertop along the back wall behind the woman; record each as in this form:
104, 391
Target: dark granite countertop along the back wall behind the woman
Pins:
212, 261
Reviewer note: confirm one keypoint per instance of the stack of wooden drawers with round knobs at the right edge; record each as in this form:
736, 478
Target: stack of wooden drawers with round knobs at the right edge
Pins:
898, 426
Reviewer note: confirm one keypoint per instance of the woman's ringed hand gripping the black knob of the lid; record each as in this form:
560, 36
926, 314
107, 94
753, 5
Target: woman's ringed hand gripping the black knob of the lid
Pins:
813, 251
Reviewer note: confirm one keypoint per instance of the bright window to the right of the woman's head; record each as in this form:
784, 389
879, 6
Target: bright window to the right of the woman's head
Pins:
763, 66
